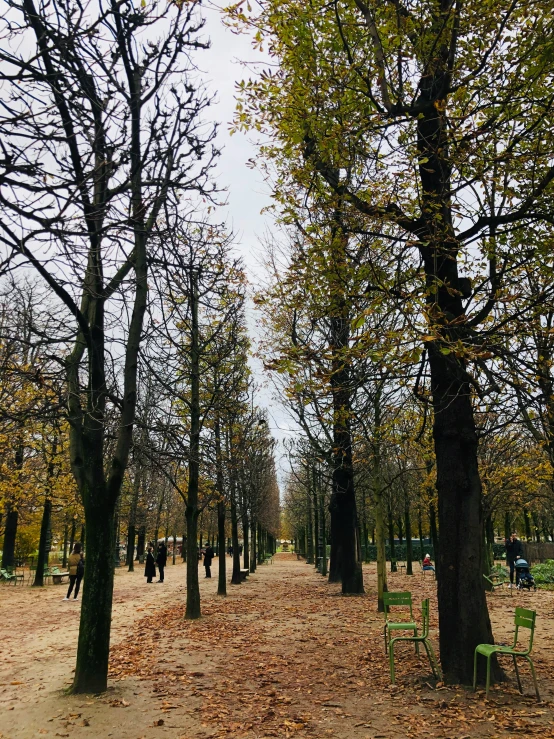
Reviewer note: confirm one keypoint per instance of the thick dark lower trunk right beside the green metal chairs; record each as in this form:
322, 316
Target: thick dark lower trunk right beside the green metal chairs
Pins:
463, 616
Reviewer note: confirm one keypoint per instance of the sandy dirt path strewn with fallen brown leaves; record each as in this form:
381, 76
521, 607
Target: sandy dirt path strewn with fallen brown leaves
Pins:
283, 655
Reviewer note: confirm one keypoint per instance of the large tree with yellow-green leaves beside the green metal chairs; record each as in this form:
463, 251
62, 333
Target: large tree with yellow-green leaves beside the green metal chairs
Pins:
433, 122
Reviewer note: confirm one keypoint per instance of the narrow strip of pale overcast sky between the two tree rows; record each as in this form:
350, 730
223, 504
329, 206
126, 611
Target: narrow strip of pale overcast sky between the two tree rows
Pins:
247, 194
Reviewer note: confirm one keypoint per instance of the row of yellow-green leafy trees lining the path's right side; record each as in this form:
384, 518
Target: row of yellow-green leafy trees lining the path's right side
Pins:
410, 149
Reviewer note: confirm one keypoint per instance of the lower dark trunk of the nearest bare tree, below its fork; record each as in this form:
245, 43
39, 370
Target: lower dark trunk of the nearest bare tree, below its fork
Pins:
91, 671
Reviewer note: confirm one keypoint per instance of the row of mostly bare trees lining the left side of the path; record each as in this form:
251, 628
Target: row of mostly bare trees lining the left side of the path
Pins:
135, 346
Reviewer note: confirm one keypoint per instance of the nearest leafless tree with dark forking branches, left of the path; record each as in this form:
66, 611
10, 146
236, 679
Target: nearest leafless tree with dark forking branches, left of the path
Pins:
97, 140
